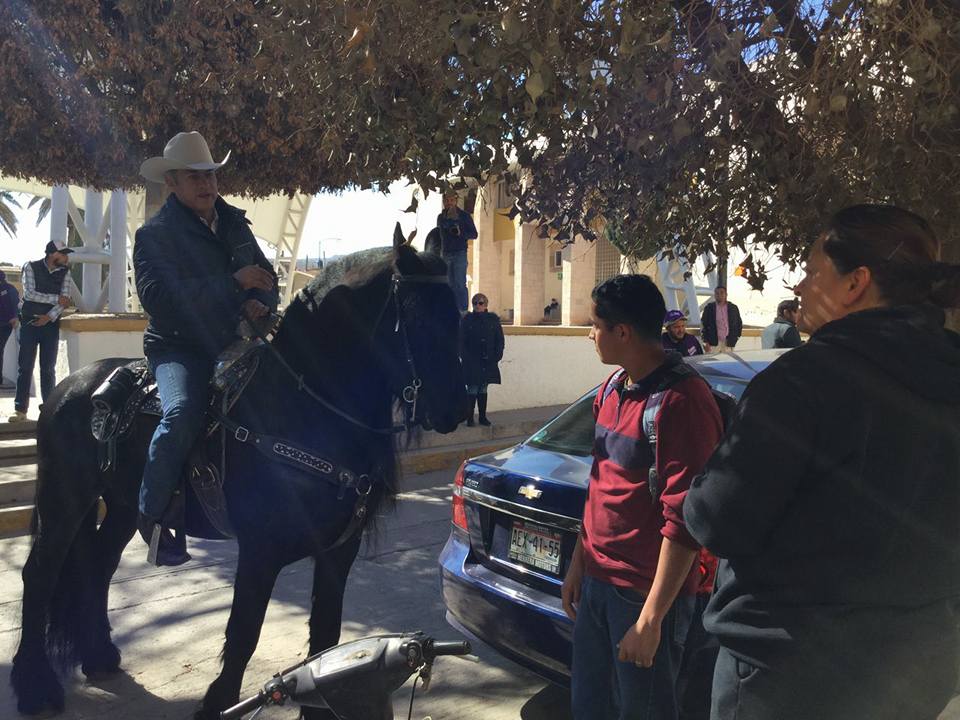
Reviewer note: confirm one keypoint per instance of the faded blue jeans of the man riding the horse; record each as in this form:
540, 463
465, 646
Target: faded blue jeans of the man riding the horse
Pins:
183, 379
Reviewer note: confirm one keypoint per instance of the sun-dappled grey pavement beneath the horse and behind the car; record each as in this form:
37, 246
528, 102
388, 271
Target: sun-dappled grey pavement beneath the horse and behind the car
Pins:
169, 625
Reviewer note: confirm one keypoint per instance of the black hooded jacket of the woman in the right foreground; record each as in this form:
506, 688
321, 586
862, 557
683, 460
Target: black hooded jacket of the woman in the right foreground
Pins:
835, 490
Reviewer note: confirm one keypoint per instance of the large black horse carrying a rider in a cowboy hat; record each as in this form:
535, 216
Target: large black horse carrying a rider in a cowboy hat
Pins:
377, 330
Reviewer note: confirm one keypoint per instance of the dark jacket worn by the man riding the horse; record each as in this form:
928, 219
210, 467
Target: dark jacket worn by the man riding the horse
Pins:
185, 279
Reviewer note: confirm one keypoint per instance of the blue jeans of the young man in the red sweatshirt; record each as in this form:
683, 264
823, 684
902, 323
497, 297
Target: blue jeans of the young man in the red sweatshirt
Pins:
602, 687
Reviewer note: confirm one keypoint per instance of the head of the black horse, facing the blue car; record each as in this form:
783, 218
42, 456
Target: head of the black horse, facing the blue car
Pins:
428, 327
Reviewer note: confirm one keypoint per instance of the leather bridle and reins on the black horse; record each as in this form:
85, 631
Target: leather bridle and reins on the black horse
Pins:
410, 392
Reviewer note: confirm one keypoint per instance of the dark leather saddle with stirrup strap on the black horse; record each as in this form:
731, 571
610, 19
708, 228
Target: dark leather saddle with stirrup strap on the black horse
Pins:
199, 506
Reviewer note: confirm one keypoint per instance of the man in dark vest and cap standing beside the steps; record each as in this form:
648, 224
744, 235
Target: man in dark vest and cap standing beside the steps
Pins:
47, 290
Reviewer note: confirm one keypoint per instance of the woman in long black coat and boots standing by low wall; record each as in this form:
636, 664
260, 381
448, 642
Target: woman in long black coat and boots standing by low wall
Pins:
481, 348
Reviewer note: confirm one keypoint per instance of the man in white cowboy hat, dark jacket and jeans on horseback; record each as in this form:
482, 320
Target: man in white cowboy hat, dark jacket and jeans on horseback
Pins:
198, 269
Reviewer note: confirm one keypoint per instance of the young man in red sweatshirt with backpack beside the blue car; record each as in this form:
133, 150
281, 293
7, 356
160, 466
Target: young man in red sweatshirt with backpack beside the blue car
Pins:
632, 581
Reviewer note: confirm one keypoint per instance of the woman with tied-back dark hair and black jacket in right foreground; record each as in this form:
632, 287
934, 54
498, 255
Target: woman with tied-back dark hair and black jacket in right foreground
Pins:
837, 593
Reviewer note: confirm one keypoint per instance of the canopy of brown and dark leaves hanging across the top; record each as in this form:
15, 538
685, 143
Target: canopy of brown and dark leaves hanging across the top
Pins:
702, 124
